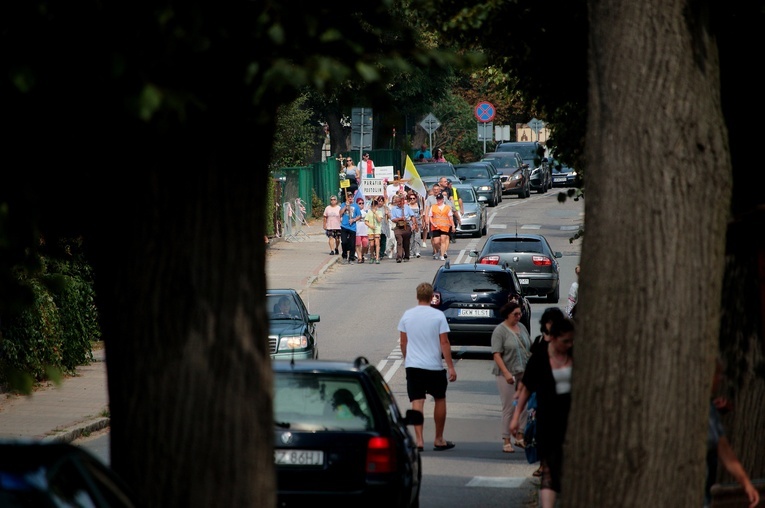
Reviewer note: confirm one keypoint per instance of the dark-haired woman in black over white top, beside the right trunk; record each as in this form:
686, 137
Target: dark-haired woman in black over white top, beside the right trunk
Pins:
548, 373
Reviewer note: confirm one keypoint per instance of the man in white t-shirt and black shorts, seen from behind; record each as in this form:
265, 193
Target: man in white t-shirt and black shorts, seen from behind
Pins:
424, 336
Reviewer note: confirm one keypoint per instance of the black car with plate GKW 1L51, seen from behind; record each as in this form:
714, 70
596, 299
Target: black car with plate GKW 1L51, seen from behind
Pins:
471, 295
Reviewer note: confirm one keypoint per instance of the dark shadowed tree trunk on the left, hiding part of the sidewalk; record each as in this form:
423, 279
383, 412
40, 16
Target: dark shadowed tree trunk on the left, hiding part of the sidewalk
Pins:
185, 327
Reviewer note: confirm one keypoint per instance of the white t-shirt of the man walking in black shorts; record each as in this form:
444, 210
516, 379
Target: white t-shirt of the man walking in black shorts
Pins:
423, 326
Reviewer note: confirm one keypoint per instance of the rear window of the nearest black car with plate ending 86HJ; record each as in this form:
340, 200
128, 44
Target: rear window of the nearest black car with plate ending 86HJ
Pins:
320, 402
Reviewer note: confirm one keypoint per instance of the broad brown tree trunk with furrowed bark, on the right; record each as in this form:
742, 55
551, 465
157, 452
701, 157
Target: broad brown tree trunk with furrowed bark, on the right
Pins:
657, 199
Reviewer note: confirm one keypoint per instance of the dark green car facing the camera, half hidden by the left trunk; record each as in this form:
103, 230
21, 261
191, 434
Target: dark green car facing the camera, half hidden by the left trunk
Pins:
292, 329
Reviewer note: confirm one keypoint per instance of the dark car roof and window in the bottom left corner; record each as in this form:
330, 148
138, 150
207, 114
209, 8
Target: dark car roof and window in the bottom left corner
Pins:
37, 473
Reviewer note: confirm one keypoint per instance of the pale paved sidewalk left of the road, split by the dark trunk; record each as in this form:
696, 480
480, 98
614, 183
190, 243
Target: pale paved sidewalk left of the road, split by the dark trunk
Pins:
80, 405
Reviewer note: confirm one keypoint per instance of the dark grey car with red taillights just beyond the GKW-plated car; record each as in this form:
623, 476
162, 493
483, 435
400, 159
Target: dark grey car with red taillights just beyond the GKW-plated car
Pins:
531, 257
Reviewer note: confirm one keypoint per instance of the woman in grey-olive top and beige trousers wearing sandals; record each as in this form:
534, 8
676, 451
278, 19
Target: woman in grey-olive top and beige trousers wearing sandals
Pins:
510, 347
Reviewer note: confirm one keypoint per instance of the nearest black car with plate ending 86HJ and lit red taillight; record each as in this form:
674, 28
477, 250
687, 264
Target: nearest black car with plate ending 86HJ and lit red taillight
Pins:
340, 438
